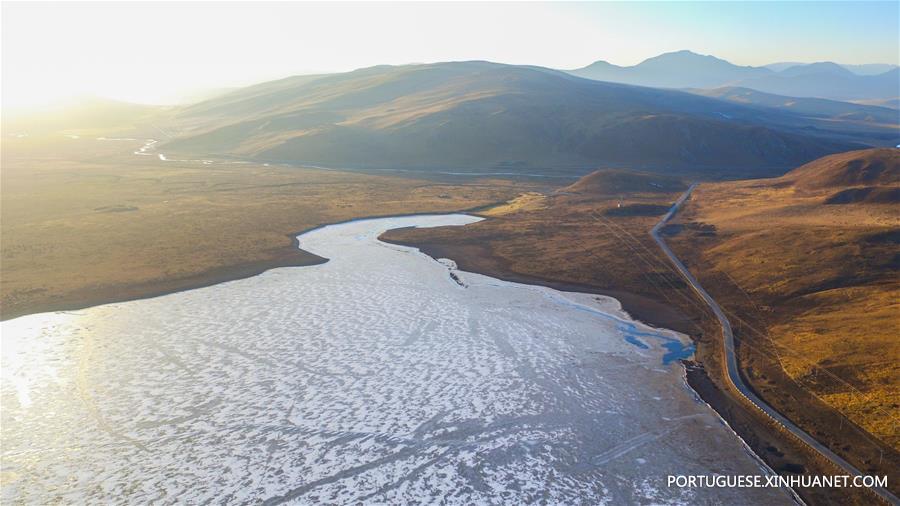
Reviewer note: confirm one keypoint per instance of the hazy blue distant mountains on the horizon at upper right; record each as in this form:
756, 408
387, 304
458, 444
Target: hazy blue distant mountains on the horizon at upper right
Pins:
685, 69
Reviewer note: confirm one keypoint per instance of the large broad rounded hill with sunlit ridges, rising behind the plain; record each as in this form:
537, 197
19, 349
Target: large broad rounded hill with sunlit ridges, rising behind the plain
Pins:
486, 115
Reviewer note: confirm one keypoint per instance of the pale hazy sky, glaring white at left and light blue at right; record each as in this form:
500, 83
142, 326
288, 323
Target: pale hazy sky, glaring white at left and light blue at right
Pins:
152, 52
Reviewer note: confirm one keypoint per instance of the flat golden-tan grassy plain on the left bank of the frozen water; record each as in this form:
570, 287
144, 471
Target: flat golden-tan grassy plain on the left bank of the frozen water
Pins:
86, 221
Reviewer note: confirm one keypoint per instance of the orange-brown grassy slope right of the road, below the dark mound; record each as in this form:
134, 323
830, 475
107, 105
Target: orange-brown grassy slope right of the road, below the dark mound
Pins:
815, 281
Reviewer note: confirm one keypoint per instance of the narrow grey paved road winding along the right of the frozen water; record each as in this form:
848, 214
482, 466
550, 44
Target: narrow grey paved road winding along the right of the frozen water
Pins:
734, 376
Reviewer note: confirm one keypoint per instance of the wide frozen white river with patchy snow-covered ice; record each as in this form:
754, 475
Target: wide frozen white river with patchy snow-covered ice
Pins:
381, 376
